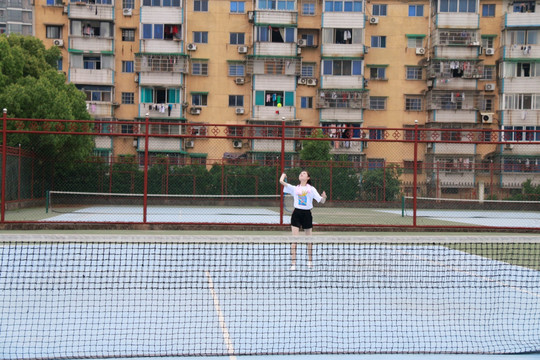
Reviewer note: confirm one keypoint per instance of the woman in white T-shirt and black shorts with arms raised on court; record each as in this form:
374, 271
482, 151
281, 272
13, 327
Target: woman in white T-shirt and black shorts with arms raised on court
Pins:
303, 195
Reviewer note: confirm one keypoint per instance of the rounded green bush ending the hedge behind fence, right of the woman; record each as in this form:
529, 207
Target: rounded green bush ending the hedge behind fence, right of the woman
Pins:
381, 184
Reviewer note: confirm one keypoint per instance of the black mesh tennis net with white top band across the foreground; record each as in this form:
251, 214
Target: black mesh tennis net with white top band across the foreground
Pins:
87, 297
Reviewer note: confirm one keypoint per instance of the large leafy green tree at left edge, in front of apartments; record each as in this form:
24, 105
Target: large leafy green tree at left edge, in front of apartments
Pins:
31, 87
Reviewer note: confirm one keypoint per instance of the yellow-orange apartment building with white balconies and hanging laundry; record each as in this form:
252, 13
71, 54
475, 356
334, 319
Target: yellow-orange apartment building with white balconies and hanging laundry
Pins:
361, 67
